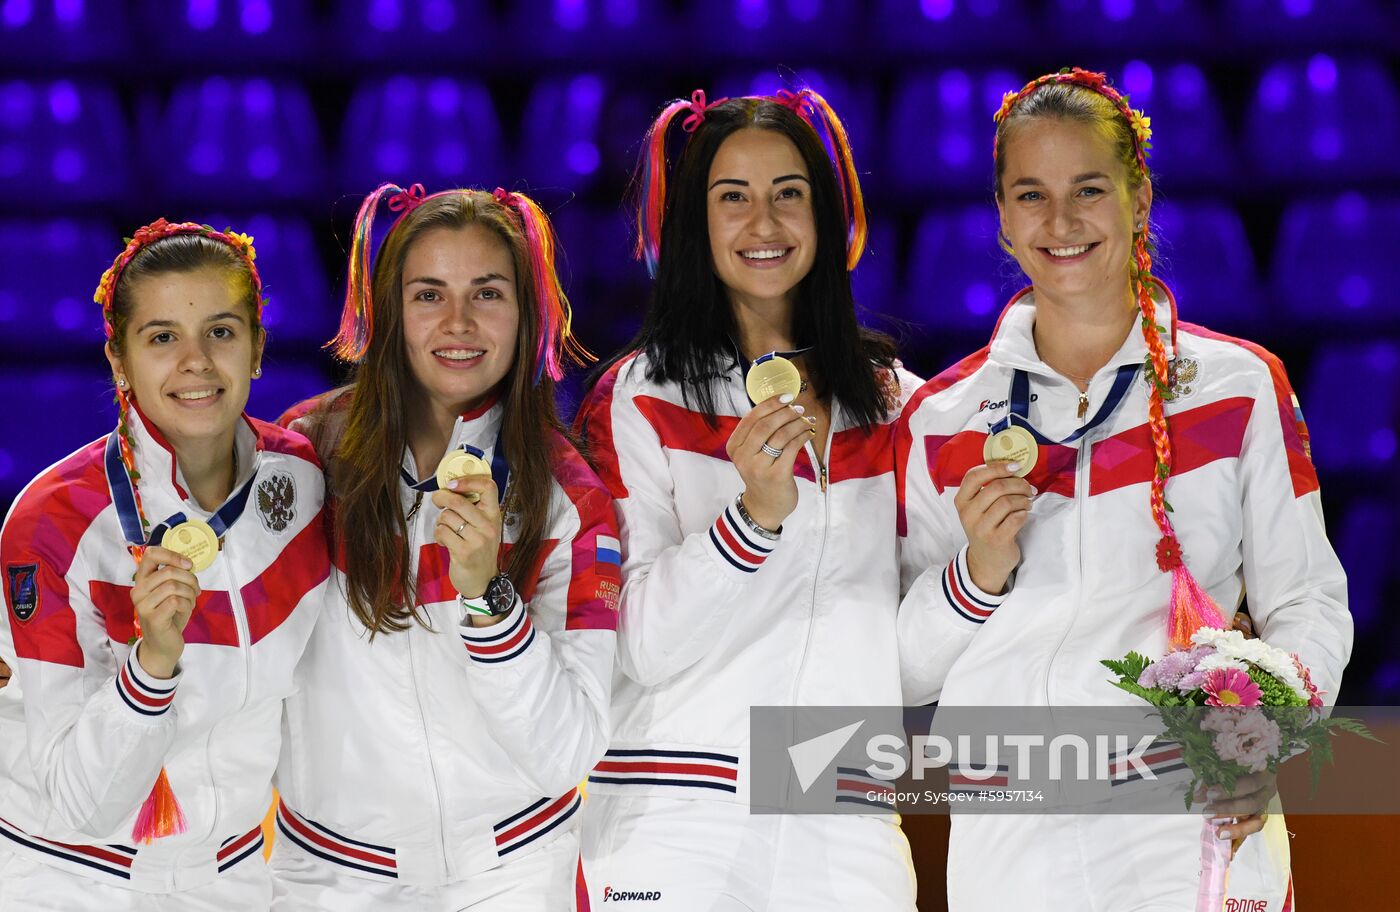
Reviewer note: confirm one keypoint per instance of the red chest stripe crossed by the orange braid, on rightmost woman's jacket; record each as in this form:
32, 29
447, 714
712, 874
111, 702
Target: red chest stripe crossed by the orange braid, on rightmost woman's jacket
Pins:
1199, 438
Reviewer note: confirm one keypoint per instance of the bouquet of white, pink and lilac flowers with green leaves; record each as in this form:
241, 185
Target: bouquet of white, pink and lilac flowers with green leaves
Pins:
1269, 711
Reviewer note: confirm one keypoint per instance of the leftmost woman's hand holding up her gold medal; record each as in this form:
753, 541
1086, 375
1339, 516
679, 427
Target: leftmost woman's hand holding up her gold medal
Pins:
164, 599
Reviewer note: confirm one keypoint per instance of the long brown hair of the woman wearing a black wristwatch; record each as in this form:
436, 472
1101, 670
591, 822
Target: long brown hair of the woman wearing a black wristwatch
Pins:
363, 471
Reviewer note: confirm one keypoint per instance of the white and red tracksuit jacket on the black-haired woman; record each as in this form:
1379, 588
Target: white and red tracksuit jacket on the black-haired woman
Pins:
716, 620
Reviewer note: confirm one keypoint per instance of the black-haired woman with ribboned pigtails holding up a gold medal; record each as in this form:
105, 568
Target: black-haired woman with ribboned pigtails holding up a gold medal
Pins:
747, 436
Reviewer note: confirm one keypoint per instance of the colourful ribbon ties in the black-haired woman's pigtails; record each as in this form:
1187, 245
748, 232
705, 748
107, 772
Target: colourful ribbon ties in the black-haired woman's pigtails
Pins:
807, 104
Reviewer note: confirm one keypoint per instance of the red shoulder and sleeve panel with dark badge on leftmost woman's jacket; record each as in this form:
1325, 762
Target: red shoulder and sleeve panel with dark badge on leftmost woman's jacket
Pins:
44, 530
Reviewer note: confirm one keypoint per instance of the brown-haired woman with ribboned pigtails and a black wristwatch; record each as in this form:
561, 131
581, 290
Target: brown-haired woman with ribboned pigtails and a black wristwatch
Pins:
456, 691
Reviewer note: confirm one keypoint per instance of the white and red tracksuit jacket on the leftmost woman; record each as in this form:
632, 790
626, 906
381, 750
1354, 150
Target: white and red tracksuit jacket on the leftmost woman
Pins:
85, 732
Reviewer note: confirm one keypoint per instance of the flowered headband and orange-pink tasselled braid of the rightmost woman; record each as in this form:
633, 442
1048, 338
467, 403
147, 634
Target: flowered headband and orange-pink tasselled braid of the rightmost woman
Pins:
1191, 607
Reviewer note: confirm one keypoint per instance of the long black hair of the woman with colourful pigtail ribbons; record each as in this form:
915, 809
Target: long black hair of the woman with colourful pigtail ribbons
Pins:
689, 326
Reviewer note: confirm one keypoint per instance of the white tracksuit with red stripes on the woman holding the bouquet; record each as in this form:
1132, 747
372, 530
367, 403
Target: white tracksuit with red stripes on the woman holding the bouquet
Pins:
1088, 588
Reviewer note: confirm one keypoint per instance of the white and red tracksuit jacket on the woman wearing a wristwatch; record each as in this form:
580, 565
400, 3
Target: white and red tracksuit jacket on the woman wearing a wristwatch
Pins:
426, 756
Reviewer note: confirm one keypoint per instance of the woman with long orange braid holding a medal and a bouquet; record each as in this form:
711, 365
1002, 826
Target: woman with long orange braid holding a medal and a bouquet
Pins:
1132, 476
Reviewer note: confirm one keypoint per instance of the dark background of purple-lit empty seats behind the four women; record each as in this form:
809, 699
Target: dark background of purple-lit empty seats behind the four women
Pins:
1277, 158
